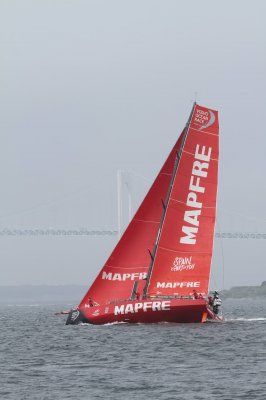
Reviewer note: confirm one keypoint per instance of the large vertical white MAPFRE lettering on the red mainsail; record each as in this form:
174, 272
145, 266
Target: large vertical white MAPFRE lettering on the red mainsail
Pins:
196, 188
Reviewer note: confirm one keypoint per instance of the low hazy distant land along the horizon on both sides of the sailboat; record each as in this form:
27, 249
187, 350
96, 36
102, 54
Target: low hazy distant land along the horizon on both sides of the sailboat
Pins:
72, 294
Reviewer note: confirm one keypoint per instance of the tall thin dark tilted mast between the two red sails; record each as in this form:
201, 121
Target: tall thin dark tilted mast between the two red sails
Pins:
165, 205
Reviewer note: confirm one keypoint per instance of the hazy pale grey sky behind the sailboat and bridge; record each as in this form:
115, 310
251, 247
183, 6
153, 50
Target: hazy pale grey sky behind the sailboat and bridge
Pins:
88, 87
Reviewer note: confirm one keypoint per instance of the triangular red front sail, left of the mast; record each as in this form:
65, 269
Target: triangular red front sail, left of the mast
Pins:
130, 260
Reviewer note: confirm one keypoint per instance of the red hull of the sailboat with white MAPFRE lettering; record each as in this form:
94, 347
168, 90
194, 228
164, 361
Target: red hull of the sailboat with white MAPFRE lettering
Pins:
145, 311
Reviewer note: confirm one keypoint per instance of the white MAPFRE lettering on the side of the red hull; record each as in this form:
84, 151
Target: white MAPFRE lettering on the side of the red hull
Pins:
145, 306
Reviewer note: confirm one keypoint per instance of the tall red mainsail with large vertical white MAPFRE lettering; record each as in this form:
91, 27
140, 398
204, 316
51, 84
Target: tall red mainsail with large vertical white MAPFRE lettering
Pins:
184, 249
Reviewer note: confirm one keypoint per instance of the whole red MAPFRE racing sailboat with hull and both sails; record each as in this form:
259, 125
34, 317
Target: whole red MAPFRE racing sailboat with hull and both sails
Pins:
160, 269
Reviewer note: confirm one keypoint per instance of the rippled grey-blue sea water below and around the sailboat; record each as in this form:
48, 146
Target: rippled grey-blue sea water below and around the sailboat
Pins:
42, 358
